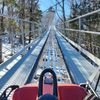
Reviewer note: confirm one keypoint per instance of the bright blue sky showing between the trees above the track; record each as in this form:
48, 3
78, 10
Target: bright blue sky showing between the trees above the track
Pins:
45, 4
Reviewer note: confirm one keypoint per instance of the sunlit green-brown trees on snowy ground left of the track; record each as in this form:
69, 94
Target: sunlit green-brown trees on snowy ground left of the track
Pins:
24, 9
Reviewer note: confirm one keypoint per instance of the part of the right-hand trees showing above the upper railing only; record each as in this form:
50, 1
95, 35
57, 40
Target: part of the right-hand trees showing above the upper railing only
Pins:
80, 7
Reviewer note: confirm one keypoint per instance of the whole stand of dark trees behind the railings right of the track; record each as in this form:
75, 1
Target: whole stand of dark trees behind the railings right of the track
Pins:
90, 42
